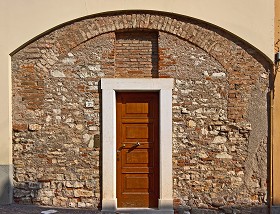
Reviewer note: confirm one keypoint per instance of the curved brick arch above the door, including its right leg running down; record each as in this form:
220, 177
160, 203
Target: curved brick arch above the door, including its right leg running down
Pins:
242, 62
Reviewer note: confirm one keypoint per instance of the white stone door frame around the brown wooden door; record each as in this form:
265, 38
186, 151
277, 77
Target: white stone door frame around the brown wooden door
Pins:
109, 88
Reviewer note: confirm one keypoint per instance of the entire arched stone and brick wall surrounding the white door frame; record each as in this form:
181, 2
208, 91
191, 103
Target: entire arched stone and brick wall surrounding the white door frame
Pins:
220, 109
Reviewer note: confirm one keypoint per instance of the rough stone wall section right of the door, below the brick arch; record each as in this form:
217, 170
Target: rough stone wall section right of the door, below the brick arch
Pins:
217, 161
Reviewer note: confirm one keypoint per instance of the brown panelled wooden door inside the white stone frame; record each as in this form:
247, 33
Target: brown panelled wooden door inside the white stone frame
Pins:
137, 149
